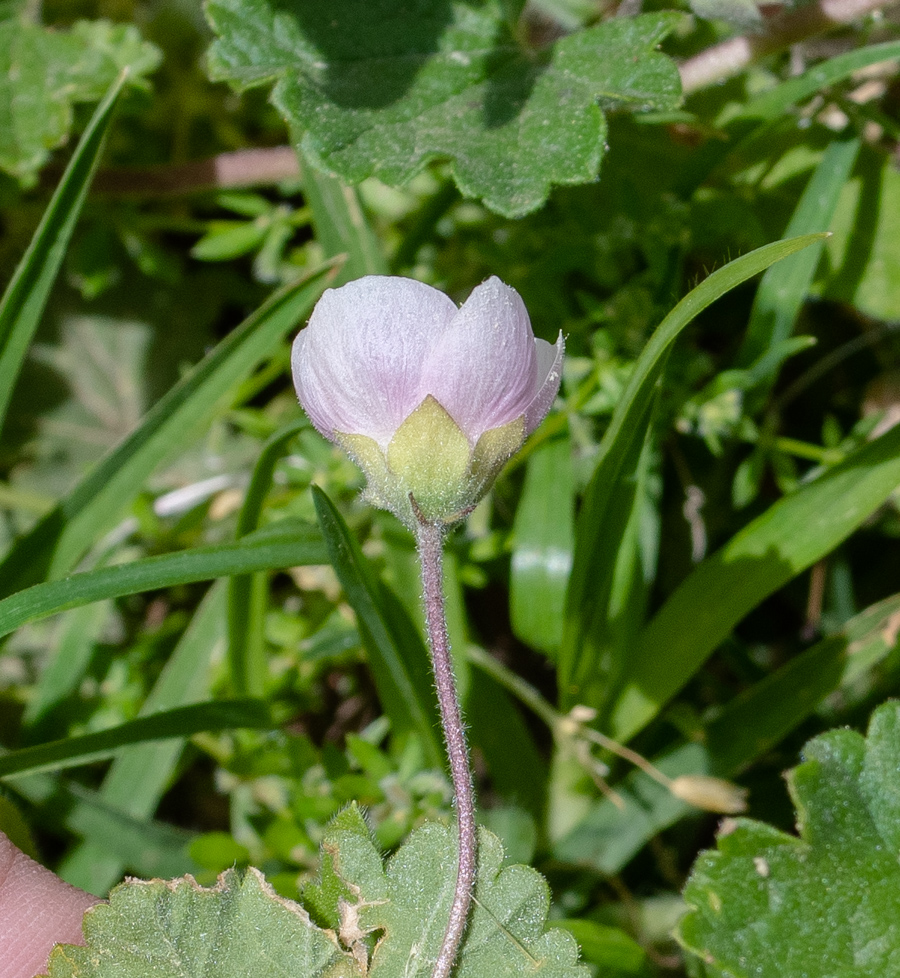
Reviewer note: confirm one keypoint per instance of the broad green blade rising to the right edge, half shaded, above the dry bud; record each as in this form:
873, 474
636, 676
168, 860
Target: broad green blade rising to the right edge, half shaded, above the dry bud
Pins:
789, 537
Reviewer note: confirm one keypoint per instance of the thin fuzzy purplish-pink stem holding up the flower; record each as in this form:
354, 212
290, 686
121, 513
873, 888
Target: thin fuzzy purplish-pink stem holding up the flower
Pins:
430, 540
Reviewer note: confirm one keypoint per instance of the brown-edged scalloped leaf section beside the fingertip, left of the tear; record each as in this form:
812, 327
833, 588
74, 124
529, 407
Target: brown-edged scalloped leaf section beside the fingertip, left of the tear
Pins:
177, 929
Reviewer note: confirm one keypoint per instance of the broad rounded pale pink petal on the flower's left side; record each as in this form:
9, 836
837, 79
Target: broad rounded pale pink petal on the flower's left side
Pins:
358, 363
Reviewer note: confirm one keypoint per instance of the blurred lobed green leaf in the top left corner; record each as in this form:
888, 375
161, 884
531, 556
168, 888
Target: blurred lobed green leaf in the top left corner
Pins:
43, 73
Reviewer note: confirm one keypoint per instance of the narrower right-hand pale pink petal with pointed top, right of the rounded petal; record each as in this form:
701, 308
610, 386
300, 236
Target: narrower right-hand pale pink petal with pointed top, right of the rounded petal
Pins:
483, 369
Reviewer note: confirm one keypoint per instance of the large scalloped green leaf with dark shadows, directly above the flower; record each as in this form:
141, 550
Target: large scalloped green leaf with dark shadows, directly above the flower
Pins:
381, 88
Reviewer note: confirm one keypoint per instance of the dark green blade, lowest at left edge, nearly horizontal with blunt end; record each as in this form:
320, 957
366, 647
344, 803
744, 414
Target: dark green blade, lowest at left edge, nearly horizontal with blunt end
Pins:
179, 723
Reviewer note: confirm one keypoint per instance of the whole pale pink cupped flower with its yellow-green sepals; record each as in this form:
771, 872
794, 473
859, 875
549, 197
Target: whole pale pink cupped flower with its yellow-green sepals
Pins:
428, 399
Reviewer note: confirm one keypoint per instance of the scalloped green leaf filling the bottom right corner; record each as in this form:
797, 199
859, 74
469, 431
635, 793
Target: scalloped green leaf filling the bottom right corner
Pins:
767, 904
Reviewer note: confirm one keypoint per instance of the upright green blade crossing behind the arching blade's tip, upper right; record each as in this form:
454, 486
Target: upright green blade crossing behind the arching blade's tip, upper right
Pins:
785, 286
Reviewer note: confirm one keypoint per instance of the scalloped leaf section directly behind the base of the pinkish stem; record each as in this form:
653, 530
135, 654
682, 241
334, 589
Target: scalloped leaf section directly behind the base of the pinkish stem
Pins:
405, 903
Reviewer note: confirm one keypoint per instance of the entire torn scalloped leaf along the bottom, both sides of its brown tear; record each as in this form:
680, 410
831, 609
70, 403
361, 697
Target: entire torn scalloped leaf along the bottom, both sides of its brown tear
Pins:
387, 919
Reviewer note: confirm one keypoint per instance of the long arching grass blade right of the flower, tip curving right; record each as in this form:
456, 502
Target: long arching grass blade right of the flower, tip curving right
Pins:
619, 452
